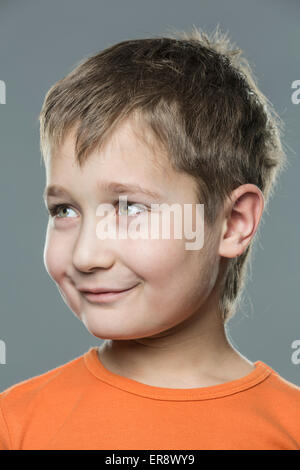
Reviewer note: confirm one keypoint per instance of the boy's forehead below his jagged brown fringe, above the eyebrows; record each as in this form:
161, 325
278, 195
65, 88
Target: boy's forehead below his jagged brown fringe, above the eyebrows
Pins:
130, 155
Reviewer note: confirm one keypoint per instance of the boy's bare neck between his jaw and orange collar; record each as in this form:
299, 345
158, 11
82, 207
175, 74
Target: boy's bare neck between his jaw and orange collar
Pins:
194, 353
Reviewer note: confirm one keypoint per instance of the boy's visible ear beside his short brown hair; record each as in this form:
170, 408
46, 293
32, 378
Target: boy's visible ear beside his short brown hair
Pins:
242, 216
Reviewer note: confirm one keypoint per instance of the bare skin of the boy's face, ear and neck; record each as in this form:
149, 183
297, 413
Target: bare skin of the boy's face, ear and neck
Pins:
167, 332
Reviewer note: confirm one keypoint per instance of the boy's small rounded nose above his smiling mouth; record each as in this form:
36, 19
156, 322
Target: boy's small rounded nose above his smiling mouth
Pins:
90, 252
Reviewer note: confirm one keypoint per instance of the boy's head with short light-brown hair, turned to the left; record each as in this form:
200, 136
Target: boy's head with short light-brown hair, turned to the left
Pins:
183, 116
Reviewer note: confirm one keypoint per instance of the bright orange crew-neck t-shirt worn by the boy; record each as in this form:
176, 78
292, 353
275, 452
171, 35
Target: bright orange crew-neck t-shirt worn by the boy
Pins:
83, 405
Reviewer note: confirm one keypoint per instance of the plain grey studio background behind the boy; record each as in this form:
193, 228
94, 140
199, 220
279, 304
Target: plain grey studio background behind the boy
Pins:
40, 41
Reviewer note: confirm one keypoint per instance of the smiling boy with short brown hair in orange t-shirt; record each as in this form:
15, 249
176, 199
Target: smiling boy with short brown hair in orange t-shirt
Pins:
161, 121
